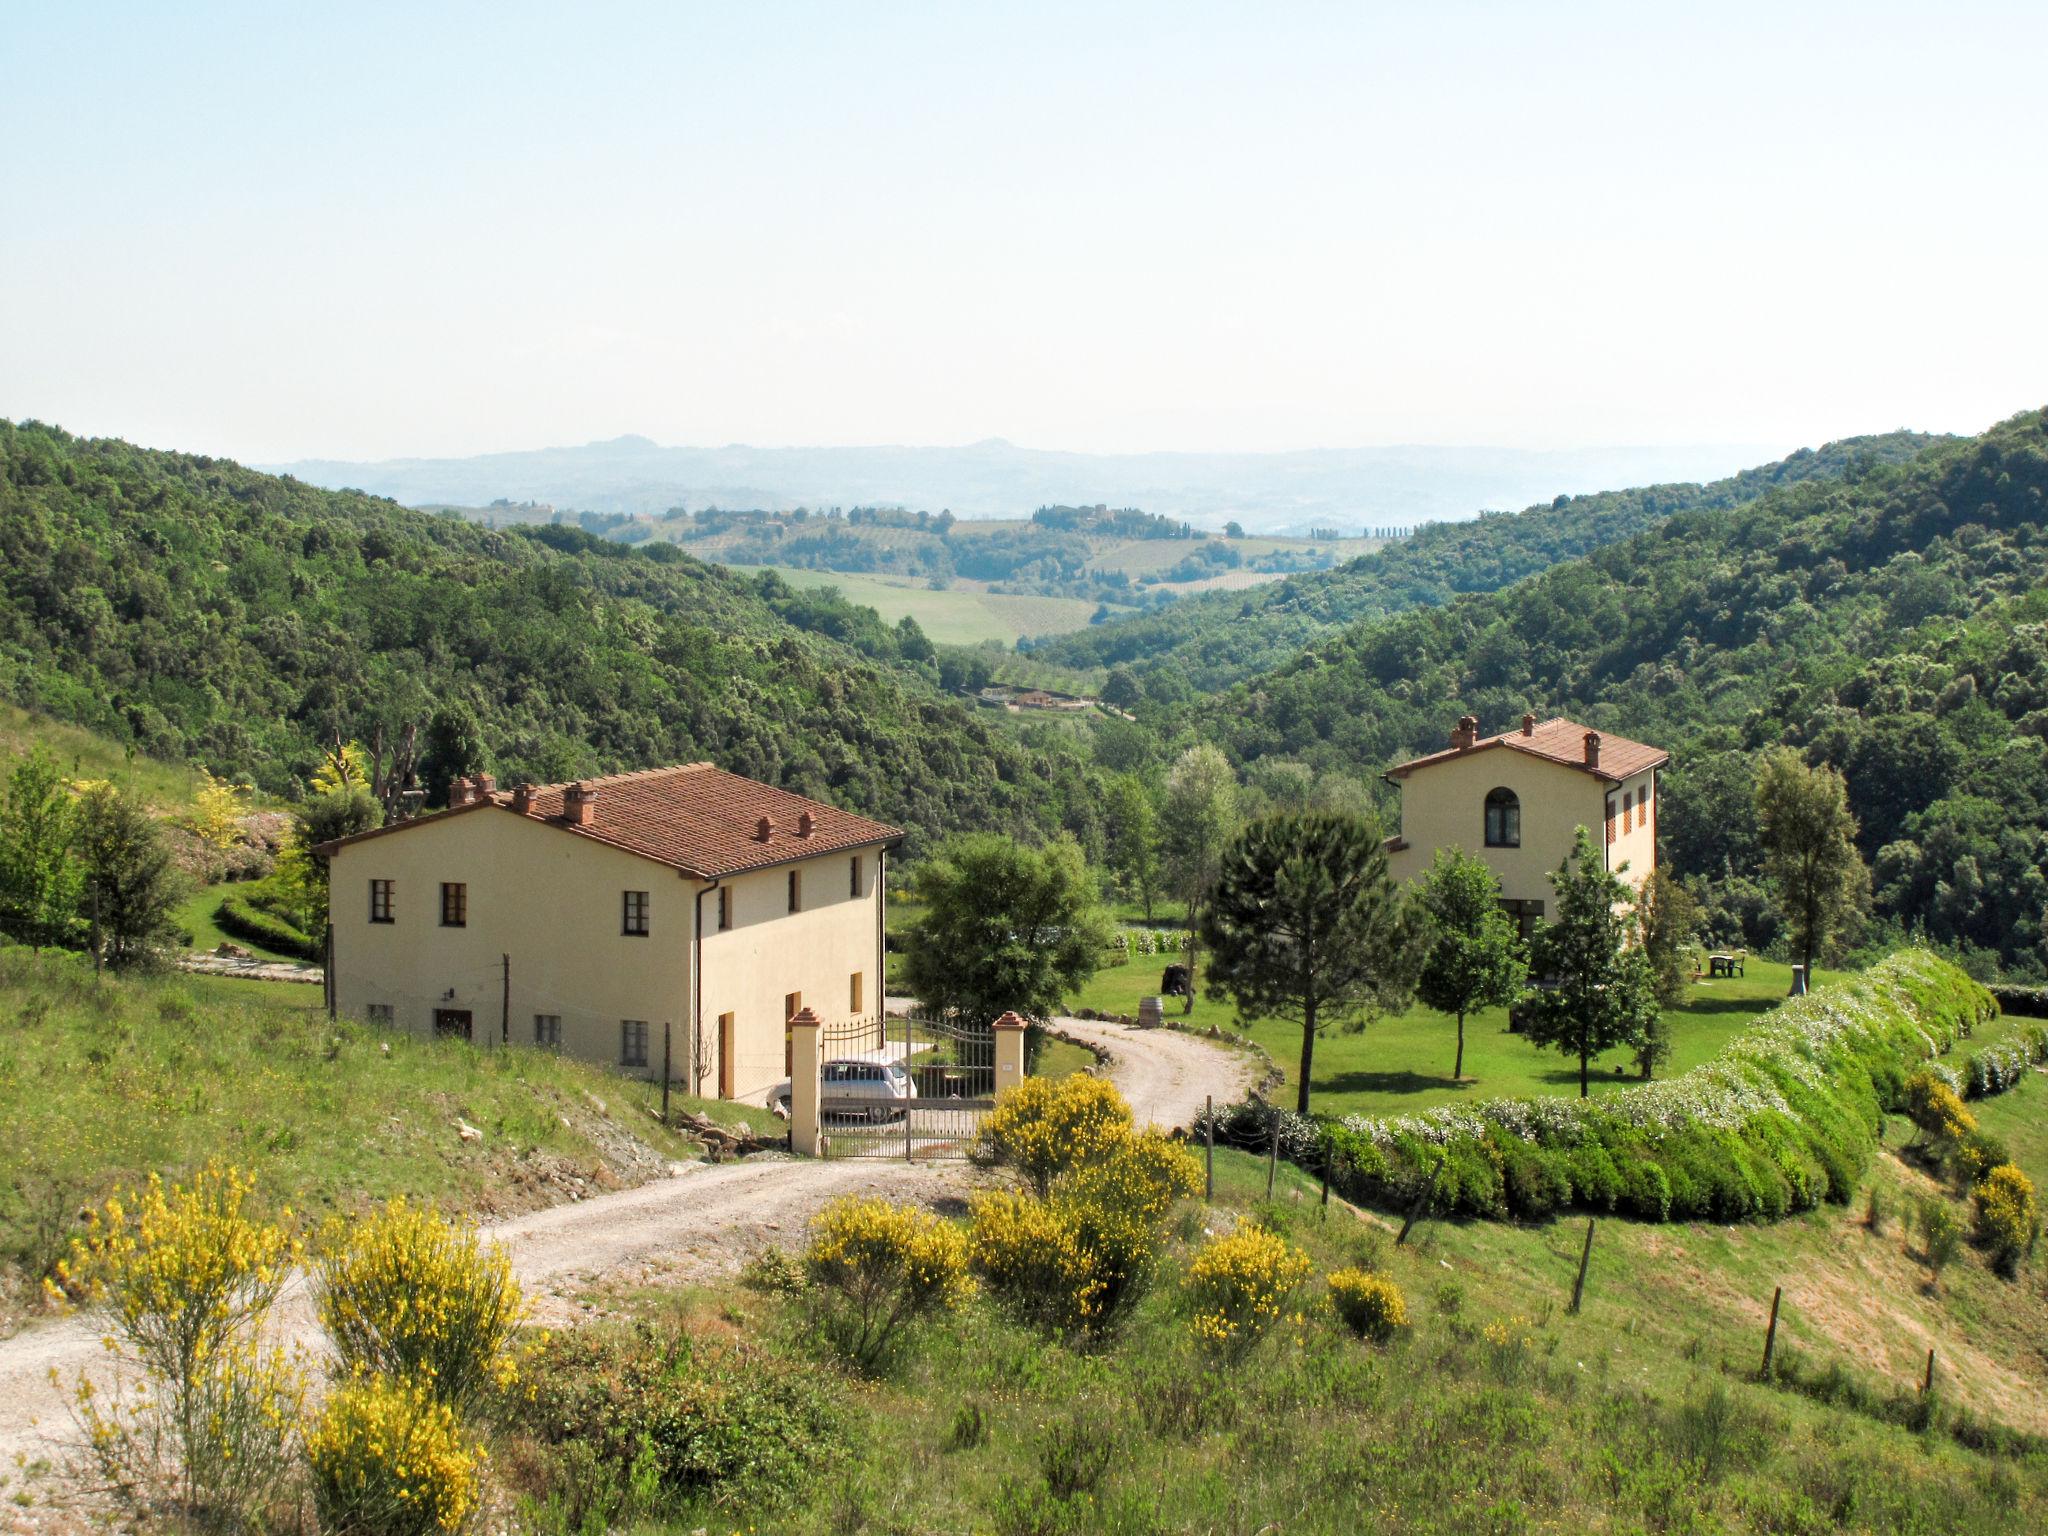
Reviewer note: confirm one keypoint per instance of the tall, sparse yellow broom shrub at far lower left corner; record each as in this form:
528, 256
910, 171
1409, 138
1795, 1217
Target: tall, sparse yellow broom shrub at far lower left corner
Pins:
185, 1279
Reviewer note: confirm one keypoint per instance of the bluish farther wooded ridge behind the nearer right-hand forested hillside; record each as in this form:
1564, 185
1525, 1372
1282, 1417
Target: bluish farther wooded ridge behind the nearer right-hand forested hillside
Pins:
1215, 640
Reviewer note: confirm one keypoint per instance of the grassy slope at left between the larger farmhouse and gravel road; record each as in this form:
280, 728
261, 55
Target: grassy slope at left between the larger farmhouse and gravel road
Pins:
103, 1082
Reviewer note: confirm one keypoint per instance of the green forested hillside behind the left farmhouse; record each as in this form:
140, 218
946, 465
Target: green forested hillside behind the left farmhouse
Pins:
204, 611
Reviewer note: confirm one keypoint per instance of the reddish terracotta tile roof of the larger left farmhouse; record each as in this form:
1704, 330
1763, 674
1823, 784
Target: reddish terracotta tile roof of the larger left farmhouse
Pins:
693, 818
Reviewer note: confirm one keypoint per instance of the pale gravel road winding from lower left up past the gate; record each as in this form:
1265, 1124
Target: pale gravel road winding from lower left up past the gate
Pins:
703, 1224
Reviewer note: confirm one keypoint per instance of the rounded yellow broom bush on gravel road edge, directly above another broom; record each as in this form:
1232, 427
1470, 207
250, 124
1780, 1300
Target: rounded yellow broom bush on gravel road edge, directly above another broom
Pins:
409, 1293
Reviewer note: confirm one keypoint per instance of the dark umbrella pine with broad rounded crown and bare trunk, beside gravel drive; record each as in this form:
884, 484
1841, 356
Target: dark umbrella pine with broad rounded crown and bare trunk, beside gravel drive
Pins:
1306, 925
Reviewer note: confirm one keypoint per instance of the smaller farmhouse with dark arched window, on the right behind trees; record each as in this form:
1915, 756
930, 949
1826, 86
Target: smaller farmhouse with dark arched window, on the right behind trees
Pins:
1517, 802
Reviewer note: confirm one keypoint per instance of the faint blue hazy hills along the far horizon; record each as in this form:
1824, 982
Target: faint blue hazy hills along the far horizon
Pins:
1269, 493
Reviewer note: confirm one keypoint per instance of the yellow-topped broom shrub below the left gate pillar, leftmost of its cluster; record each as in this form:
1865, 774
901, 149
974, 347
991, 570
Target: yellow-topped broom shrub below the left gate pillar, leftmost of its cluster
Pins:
882, 1269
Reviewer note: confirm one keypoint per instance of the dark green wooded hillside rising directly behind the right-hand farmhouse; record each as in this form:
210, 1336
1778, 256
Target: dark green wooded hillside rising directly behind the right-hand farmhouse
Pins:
1893, 624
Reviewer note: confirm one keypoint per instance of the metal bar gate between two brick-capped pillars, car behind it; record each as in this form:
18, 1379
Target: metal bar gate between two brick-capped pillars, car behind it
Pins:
908, 1086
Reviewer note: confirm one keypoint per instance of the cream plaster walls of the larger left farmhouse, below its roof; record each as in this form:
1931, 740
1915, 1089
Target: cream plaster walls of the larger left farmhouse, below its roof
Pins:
554, 902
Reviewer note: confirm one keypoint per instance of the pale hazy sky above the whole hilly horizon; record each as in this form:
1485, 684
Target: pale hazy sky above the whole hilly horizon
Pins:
429, 230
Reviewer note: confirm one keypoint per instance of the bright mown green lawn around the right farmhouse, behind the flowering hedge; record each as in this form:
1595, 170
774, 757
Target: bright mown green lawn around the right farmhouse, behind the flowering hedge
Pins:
1404, 1064
